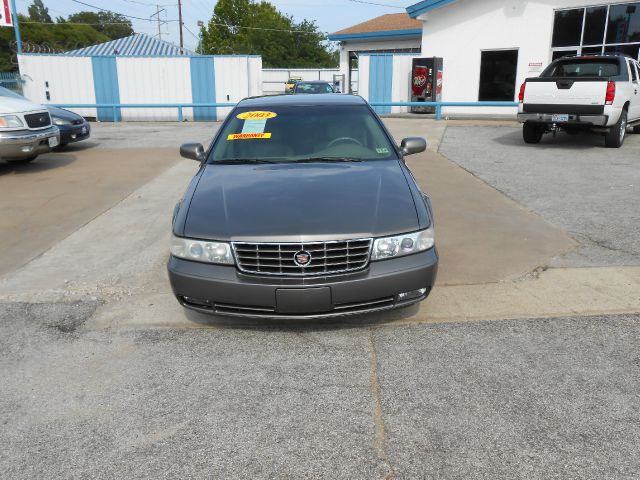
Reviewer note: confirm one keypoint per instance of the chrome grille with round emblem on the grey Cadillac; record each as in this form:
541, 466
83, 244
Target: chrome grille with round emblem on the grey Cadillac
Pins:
326, 257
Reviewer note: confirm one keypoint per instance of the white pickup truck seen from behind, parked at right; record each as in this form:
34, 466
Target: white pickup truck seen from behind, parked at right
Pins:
597, 93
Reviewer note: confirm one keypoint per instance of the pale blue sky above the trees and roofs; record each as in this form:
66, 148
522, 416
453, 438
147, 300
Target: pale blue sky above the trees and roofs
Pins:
329, 15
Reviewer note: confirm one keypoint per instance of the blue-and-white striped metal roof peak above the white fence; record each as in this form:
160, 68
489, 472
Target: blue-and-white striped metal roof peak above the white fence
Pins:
138, 44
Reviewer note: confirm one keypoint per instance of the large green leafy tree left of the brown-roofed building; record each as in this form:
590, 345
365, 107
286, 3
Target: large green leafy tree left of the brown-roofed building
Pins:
250, 27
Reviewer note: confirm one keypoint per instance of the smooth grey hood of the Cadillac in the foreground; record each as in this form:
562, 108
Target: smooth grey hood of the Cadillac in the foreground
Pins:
301, 202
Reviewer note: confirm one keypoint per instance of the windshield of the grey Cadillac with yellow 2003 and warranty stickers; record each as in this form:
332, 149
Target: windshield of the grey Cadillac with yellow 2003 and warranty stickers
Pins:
302, 133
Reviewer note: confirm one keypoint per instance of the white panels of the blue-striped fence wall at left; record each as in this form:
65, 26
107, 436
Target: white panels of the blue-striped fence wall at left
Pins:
140, 80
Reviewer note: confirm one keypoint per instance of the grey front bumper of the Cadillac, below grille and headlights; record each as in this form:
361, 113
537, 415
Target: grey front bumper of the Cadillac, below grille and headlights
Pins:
223, 290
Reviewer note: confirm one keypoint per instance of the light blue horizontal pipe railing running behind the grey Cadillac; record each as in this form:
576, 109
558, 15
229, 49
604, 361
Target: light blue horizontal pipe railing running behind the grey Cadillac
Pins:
115, 107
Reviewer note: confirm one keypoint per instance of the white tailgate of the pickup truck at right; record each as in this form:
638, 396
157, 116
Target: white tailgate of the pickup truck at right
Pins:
566, 92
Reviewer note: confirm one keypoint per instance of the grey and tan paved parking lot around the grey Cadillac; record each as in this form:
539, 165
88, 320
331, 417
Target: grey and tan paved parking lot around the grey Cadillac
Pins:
524, 362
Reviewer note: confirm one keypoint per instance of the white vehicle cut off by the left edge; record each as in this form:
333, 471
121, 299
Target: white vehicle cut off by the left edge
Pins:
25, 130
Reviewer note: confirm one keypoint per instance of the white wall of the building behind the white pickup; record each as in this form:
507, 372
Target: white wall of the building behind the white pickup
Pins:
461, 31
